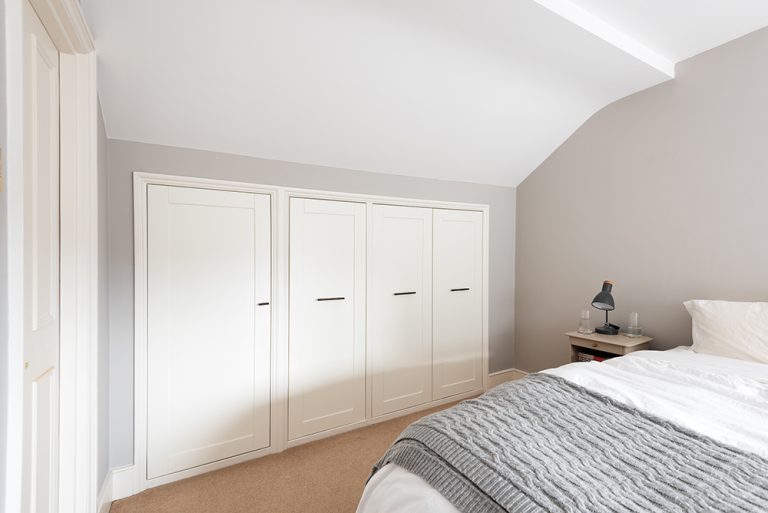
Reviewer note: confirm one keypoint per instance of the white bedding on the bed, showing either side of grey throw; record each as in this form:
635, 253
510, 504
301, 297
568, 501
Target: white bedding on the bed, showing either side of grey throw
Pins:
722, 398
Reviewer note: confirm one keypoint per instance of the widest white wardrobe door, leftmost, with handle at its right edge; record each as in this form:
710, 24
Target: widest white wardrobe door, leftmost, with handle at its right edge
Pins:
208, 326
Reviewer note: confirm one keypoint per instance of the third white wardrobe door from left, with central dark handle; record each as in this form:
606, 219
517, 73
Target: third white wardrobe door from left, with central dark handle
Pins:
400, 308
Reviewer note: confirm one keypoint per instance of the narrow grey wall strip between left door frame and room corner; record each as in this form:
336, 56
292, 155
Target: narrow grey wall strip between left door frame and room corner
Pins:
103, 378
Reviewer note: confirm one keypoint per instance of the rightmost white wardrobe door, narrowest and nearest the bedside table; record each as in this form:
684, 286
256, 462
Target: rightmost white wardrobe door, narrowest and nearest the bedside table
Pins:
457, 314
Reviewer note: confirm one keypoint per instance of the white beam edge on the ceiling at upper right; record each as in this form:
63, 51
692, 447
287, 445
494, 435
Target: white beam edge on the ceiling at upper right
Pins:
609, 34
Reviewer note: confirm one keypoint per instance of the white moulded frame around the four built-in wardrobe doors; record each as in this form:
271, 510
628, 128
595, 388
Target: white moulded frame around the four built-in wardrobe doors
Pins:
131, 479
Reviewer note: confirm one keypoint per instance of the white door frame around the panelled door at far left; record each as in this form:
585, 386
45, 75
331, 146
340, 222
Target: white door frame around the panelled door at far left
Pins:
65, 23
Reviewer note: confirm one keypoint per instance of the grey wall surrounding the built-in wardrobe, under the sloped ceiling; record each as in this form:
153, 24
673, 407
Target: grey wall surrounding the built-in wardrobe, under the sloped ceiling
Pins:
126, 157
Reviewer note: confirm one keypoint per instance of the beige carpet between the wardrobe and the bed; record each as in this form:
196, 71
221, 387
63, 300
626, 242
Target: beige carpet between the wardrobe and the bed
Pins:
326, 476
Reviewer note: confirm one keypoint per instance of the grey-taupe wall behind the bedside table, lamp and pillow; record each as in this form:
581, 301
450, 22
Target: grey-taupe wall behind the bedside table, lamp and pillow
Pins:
664, 192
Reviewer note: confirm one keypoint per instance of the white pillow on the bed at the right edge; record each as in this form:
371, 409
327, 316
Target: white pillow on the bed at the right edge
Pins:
729, 328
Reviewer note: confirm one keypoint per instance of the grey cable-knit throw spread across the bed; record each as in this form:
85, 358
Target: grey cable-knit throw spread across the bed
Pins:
543, 444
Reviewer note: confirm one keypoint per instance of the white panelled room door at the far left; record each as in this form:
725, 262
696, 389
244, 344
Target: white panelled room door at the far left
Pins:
41, 268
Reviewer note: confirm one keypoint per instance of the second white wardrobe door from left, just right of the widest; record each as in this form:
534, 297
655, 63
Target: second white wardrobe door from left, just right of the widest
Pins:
326, 378
